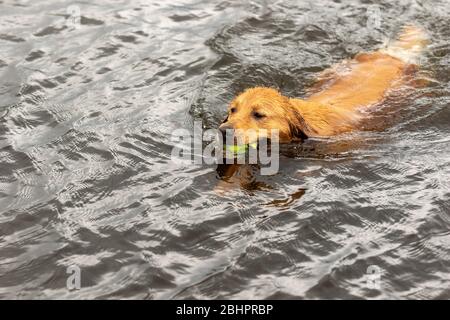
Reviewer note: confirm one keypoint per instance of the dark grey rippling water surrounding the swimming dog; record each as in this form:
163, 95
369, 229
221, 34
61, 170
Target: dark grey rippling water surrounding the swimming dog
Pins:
87, 107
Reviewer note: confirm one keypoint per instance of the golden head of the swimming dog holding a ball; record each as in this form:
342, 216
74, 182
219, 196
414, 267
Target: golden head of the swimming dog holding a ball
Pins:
257, 112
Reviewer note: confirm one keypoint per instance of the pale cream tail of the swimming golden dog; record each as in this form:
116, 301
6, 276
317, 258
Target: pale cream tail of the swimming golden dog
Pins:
409, 45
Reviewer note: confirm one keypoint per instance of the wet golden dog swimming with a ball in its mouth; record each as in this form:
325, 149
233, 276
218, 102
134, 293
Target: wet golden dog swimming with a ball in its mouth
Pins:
346, 90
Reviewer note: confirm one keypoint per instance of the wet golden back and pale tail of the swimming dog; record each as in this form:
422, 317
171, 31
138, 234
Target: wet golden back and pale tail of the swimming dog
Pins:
361, 82
